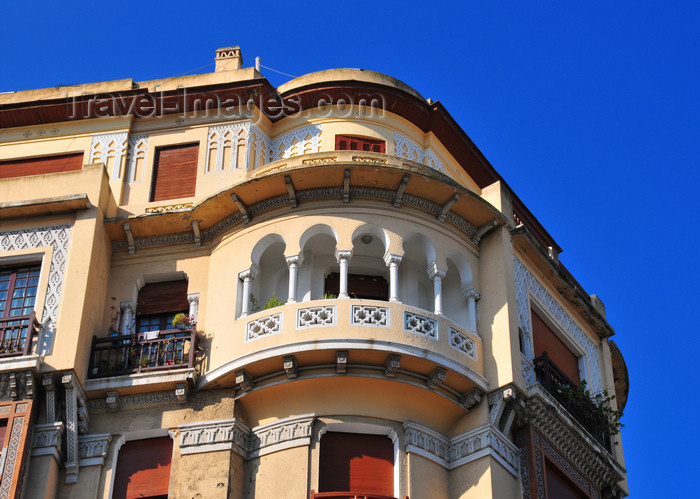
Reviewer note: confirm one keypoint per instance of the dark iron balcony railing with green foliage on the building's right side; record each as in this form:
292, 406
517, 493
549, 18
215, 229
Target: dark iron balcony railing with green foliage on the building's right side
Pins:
582, 408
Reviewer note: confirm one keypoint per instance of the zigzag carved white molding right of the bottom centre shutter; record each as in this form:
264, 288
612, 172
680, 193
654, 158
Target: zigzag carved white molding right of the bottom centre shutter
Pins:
453, 452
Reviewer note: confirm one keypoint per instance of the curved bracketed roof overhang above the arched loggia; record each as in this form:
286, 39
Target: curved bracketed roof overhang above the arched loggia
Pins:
295, 183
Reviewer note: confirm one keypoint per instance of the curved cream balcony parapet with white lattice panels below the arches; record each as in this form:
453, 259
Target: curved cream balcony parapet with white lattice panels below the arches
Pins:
368, 338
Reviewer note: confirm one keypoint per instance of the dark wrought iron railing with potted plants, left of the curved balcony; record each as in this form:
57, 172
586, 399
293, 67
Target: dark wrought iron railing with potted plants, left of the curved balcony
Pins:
143, 352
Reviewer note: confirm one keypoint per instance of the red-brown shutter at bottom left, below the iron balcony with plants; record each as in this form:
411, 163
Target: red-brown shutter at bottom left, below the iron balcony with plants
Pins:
143, 468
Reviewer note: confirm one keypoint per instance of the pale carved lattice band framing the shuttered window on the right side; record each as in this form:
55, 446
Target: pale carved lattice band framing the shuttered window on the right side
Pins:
526, 283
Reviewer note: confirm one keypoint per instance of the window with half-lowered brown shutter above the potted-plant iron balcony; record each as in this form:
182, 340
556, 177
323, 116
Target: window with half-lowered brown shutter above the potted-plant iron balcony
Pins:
158, 303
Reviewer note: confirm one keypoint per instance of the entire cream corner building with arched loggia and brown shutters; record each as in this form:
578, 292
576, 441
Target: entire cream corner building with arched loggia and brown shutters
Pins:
211, 287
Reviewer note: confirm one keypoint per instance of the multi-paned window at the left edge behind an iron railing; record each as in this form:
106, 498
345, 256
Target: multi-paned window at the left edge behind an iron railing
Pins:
18, 290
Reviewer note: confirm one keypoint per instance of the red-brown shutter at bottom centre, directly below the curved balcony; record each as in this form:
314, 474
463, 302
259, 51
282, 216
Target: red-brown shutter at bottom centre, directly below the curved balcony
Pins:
352, 462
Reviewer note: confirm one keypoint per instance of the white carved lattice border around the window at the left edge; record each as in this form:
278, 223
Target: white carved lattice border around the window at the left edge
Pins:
58, 237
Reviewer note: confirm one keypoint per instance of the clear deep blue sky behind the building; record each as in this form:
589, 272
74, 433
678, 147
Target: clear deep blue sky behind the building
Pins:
589, 111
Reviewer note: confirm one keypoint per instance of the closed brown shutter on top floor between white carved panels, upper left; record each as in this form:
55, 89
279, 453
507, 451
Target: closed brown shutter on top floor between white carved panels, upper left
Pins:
175, 172
